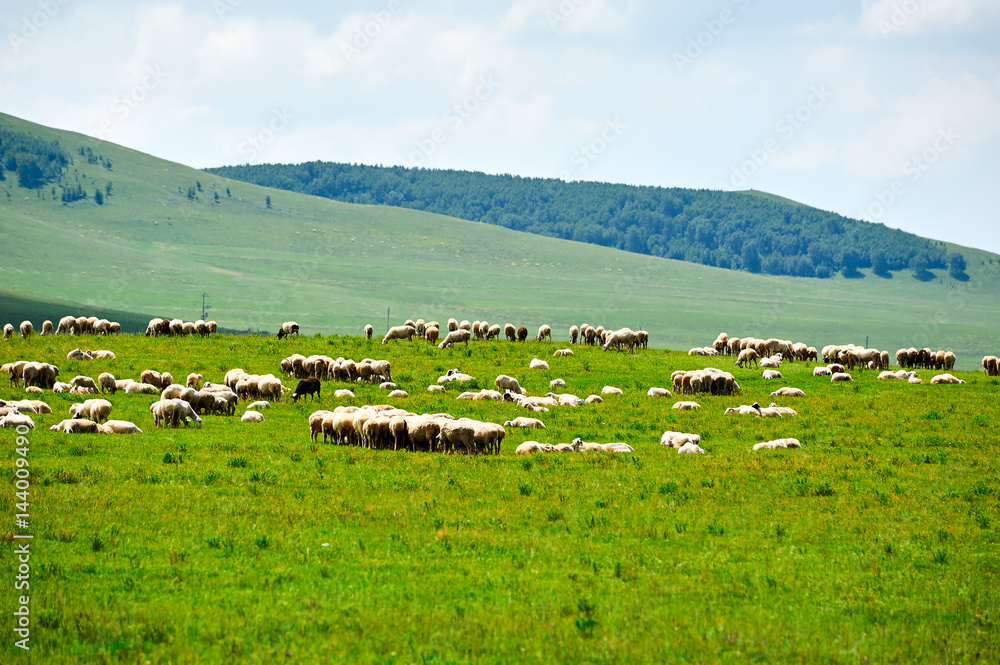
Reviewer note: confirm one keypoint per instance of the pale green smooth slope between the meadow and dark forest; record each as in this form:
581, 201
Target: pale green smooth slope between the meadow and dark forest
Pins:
334, 267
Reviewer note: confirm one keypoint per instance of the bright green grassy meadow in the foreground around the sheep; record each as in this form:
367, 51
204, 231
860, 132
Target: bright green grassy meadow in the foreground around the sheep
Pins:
877, 541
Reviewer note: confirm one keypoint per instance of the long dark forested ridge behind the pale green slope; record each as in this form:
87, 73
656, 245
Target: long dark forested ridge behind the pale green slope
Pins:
733, 230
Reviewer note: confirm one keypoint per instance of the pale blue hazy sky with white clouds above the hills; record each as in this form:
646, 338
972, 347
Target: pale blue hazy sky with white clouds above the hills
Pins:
887, 110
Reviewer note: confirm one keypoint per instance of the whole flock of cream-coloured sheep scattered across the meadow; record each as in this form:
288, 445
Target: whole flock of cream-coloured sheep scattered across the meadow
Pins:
385, 427
